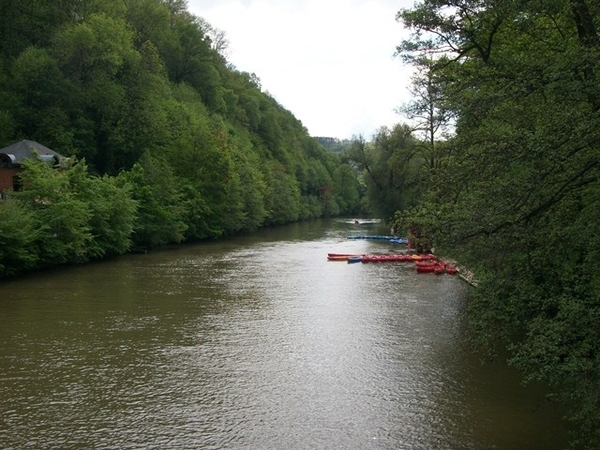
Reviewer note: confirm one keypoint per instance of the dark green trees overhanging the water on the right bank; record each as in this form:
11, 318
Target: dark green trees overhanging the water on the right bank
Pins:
515, 192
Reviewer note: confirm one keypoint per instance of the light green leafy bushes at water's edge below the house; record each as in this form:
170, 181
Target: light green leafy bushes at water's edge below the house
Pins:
64, 216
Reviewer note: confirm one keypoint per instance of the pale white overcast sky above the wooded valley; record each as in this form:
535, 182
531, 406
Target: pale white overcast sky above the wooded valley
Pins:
329, 62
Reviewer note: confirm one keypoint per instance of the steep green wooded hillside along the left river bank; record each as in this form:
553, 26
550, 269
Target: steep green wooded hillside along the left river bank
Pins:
174, 144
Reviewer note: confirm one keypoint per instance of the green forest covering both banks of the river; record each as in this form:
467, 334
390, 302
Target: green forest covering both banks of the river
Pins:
497, 165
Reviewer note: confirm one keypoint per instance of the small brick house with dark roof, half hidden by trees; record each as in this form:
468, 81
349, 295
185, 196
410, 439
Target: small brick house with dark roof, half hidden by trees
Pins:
12, 158
